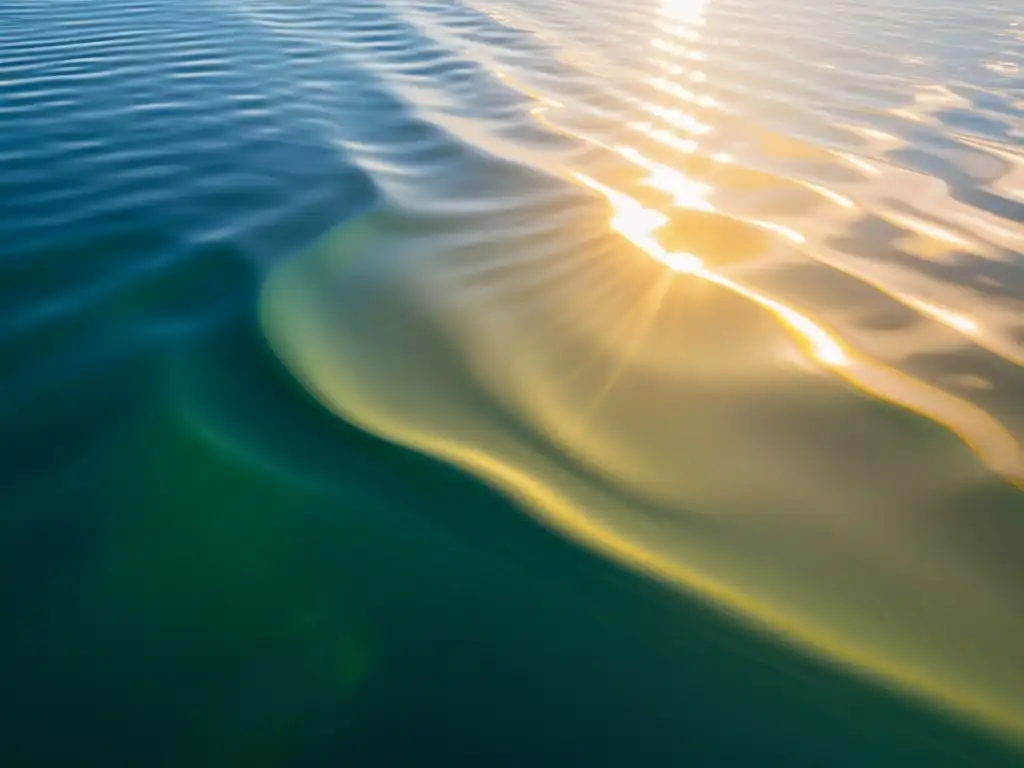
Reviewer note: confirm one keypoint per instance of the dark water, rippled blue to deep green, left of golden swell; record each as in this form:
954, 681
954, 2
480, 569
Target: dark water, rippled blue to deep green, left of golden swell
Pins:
203, 567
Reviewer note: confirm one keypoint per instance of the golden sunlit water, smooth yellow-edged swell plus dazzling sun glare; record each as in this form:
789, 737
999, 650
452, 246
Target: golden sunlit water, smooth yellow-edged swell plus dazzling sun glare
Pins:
664, 372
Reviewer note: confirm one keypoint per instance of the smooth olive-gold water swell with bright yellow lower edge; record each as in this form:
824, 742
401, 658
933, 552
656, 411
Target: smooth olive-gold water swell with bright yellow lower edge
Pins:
682, 429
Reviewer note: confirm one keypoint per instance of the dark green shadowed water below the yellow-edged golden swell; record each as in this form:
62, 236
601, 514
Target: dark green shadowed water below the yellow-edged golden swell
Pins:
219, 572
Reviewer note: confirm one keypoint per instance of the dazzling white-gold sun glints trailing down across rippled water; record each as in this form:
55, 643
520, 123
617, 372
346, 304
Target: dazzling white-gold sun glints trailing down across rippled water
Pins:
644, 227
